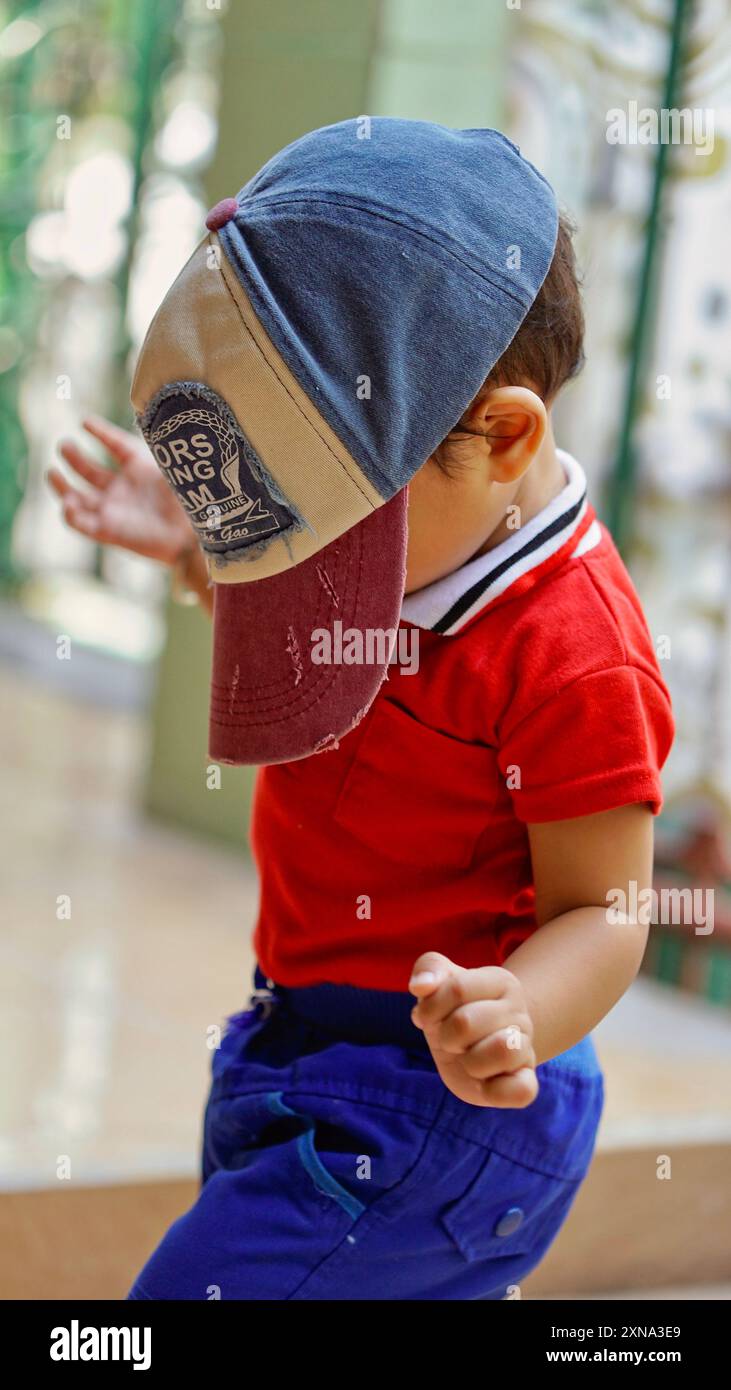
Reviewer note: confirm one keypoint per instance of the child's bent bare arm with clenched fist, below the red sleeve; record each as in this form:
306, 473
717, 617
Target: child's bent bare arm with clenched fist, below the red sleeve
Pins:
488, 1029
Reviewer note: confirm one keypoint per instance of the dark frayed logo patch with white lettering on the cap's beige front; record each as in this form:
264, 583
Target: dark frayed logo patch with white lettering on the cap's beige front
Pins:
213, 469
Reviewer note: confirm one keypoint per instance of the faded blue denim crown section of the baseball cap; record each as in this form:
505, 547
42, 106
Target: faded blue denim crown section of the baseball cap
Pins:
401, 262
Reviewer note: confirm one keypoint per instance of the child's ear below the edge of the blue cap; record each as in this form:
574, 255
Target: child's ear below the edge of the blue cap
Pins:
512, 423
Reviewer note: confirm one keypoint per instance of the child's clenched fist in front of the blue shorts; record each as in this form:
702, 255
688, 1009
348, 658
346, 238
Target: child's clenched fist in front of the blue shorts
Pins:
479, 1029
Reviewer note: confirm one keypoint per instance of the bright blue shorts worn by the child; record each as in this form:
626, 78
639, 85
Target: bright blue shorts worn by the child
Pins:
337, 1166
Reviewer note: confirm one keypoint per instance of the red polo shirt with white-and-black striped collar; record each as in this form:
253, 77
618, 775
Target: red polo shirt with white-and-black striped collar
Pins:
539, 697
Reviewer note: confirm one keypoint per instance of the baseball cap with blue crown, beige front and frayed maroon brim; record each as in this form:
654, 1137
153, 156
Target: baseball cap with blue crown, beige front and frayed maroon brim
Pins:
326, 336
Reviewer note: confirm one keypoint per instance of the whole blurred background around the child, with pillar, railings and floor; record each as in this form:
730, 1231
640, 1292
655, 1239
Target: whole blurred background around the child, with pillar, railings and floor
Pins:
129, 893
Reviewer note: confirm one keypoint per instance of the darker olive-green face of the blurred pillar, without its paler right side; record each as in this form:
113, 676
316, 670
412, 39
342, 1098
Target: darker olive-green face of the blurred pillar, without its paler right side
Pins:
287, 69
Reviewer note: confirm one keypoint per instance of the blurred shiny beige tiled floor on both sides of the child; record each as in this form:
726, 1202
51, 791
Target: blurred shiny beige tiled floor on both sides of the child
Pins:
106, 1011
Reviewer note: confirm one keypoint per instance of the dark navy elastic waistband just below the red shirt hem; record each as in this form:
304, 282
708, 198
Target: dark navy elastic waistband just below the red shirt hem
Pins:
350, 1013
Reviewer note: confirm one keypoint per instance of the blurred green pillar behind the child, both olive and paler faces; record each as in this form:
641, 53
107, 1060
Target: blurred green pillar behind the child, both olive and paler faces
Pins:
290, 69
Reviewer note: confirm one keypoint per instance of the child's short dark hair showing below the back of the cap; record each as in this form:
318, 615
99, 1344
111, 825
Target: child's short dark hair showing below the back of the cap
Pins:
548, 348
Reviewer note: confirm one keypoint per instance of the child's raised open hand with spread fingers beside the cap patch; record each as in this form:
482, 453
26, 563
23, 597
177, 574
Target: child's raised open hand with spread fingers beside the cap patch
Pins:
131, 507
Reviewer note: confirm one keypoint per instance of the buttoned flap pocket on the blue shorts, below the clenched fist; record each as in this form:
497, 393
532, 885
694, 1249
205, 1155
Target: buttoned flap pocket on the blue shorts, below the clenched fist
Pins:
509, 1210
